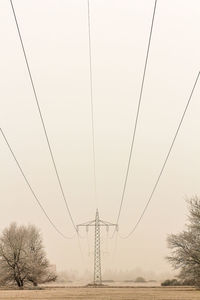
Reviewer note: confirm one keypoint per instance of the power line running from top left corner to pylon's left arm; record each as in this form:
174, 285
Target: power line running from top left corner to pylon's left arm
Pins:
40, 114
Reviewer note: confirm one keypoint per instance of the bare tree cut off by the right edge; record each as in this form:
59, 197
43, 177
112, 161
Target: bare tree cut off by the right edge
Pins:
185, 246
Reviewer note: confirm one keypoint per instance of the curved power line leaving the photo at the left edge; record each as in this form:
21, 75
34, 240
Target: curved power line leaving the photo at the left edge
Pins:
30, 187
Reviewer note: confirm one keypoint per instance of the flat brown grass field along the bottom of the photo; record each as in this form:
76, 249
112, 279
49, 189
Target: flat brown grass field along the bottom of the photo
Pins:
103, 294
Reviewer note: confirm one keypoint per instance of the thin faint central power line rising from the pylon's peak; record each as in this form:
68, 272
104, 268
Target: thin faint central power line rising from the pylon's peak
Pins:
92, 102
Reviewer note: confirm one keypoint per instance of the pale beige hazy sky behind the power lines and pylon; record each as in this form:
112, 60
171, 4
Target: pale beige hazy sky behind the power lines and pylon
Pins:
55, 35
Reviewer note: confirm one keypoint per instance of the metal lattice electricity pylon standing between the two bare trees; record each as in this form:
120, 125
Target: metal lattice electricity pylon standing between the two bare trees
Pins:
97, 223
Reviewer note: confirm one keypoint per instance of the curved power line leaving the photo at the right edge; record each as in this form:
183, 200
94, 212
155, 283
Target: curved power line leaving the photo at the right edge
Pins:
165, 161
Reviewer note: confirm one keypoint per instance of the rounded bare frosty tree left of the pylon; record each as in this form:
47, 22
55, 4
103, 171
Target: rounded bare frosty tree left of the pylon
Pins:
22, 257
